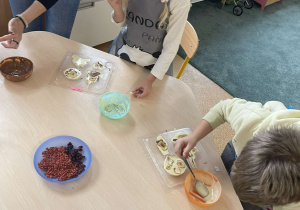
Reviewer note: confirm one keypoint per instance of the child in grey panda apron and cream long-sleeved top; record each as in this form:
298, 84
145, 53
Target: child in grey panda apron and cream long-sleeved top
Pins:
150, 36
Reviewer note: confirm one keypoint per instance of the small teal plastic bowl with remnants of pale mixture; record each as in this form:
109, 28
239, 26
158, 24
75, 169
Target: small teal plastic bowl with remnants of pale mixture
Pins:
114, 105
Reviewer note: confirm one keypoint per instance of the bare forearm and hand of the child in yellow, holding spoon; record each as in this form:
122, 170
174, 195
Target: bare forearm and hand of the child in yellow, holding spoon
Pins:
184, 145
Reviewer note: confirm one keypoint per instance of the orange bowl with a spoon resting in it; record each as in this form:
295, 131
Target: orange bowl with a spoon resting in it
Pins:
210, 181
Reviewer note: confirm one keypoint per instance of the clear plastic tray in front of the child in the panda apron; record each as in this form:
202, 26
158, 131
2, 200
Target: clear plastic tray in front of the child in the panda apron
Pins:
98, 87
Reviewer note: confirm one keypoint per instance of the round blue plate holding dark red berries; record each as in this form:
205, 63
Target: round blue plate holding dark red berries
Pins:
59, 141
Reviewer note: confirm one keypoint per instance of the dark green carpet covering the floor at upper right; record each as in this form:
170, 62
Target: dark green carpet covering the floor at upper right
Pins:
255, 56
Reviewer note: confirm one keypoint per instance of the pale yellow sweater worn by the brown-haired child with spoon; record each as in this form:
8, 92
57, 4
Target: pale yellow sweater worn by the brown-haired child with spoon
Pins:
248, 118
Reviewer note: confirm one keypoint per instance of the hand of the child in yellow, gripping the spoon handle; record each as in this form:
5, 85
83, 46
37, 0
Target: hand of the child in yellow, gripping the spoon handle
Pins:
184, 145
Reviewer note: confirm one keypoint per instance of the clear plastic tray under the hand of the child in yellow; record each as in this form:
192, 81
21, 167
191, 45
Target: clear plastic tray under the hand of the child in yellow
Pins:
157, 158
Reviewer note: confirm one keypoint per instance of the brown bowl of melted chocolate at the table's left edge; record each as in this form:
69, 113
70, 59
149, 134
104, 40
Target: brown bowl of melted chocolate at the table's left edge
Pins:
16, 69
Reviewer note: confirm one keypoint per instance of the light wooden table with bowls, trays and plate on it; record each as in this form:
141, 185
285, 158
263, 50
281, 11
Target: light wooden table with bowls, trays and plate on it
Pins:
120, 176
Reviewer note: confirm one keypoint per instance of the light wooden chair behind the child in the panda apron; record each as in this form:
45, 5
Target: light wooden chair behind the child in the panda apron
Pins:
189, 43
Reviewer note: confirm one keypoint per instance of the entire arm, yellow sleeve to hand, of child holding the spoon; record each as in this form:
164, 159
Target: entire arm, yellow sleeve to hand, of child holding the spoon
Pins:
243, 117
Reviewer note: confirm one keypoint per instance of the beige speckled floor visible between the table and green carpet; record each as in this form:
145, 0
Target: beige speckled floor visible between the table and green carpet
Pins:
206, 92
